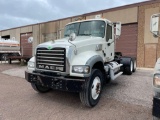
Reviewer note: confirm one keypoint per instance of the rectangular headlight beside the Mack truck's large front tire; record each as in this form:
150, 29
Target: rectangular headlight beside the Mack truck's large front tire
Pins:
81, 69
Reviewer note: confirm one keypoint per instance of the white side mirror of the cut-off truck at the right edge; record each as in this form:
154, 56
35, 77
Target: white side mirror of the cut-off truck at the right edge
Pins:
154, 25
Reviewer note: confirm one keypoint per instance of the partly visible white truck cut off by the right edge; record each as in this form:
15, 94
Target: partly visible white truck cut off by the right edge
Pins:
154, 28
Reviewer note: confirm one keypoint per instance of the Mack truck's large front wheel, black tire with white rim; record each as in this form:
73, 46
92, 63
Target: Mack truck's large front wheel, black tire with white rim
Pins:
92, 89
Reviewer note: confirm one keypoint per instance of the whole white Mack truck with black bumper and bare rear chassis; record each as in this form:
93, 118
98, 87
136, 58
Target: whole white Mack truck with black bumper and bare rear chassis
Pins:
83, 61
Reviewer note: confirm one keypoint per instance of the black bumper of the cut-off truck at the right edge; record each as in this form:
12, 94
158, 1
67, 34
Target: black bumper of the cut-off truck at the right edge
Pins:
156, 107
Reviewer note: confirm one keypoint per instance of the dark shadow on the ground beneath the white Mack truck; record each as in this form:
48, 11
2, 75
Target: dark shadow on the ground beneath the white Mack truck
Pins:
68, 99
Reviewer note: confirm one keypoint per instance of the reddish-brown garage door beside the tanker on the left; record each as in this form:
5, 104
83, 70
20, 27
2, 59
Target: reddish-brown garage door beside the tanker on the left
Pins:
26, 48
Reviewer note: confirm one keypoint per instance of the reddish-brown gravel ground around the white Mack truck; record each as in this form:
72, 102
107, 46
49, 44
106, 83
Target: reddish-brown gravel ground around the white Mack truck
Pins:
126, 98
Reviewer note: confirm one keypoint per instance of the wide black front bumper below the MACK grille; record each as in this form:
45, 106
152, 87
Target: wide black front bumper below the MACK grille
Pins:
55, 82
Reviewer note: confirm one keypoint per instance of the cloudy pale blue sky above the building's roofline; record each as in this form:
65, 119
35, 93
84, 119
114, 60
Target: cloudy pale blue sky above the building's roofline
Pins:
14, 13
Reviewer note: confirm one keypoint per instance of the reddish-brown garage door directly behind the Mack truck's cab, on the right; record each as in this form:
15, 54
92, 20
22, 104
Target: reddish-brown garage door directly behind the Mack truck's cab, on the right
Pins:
127, 44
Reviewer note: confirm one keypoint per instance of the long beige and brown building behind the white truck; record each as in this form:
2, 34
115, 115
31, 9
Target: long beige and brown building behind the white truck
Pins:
136, 39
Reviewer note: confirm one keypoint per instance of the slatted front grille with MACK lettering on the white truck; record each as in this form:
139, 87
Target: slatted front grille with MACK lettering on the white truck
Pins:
52, 60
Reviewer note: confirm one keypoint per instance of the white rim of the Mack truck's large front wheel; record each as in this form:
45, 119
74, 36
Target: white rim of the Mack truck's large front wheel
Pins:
96, 88
